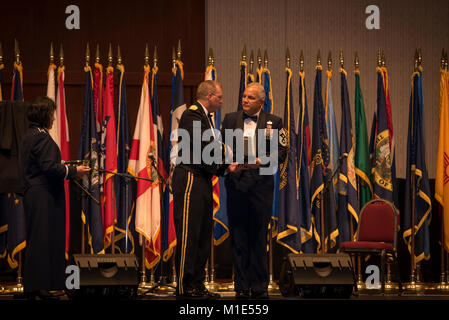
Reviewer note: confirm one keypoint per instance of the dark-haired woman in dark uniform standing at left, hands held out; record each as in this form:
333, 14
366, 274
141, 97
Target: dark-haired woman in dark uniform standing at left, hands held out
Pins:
44, 202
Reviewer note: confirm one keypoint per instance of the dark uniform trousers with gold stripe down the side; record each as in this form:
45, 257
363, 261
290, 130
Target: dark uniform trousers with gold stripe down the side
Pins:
192, 210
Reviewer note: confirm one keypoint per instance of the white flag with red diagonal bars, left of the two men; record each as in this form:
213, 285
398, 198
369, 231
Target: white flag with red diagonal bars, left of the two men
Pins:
144, 145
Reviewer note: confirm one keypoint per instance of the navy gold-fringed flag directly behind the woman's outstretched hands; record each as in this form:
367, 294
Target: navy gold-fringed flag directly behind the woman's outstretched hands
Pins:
89, 150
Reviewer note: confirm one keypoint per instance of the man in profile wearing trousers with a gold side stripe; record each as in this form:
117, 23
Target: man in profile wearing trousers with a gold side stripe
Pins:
192, 190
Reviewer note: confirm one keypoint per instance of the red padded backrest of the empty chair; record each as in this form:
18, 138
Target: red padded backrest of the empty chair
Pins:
378, 222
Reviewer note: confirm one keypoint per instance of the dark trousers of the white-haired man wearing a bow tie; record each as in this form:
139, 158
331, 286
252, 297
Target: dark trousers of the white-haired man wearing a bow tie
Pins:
249, 203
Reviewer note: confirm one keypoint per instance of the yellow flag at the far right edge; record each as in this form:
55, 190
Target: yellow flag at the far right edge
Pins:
442, 174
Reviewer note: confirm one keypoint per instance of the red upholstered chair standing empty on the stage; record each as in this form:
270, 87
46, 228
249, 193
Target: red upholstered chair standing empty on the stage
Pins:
376, 235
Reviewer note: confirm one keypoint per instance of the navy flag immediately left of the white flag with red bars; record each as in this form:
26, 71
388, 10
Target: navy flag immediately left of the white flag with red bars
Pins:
123, 187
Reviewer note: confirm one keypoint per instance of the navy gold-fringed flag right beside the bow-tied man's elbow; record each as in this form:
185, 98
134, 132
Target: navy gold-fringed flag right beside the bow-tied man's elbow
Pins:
289, 226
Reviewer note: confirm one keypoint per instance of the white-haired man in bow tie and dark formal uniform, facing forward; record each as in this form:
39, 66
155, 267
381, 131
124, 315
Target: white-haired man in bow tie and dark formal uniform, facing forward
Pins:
250, 191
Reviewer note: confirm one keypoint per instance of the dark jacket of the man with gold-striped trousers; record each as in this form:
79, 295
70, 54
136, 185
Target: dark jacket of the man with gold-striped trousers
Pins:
190, 115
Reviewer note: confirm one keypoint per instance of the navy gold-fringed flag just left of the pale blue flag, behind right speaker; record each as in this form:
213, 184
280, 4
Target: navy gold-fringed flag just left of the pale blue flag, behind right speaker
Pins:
321, 174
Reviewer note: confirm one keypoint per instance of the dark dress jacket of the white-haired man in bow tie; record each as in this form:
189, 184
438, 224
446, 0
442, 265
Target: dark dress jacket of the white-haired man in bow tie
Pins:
245, 178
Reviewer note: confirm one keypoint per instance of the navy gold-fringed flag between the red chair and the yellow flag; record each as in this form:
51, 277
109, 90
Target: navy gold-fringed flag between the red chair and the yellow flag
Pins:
417, 171
